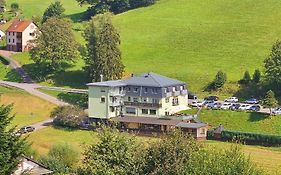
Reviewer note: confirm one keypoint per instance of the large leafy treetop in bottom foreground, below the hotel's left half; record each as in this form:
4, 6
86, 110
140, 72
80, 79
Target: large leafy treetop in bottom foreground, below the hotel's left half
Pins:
115, 153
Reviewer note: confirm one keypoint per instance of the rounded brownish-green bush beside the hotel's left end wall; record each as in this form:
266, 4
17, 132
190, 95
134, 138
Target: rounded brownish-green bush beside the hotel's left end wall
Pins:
68, 116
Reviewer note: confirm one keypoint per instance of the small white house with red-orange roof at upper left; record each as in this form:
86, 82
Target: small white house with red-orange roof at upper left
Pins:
19, 34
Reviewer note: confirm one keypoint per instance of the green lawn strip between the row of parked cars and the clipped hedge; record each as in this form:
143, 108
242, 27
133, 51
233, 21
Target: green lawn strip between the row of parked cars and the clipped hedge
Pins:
243, 121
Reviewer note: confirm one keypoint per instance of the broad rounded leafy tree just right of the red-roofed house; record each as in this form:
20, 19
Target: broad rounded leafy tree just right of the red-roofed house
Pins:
54, 46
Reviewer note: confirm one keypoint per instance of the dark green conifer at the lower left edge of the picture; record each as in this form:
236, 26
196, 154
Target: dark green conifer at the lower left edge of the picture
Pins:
11, 145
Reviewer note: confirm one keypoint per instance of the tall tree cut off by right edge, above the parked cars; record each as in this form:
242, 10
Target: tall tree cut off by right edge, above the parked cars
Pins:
273, 64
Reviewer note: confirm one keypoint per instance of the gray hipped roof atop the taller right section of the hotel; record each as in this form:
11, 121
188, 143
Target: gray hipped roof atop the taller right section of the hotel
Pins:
152, 80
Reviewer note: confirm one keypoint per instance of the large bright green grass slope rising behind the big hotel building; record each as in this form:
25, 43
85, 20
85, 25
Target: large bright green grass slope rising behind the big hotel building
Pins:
192, 39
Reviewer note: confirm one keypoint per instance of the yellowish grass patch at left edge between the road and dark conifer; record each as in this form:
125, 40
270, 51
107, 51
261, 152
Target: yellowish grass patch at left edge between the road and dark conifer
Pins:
27, 109
